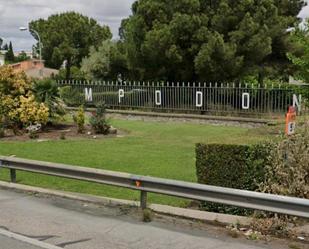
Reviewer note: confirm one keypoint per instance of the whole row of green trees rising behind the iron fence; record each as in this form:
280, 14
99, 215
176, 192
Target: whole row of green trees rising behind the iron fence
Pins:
178, 40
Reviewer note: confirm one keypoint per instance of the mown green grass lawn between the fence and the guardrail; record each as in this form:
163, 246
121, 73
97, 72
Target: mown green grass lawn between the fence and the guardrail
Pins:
156, 149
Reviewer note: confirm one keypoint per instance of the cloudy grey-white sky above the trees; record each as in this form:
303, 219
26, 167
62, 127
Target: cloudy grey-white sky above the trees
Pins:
17, 13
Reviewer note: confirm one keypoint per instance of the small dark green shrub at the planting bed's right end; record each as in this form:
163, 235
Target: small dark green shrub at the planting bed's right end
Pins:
98, 120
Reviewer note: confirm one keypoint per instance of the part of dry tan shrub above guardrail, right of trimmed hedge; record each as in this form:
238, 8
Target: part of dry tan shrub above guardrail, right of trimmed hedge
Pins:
287, 172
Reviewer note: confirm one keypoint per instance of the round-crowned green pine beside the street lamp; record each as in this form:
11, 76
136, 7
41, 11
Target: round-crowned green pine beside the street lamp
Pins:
68, 37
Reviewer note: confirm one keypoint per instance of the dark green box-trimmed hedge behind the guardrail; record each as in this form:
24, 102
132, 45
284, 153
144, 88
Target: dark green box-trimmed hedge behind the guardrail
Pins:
231, 166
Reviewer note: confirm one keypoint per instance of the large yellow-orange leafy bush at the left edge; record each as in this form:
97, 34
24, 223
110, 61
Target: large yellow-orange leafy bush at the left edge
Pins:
18, 107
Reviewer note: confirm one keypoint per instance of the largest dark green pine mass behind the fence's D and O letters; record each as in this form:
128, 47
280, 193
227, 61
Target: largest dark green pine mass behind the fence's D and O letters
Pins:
209, 40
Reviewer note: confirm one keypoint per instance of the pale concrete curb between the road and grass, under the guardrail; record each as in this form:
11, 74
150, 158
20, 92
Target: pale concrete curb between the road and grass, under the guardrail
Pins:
216, 218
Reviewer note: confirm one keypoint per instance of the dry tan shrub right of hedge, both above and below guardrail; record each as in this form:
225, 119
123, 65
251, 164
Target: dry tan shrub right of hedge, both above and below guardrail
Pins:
286, 173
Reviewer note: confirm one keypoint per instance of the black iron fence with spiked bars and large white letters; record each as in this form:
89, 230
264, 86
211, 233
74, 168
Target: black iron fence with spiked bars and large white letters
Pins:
221, 99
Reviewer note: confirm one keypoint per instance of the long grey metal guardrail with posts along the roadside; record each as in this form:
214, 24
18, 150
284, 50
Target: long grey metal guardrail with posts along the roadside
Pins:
144, 184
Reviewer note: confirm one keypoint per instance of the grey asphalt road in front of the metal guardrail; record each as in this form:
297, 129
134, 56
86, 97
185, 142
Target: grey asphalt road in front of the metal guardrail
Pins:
76, 225
